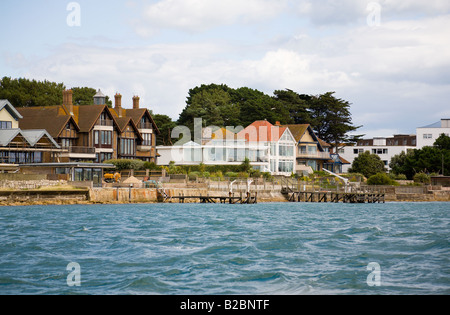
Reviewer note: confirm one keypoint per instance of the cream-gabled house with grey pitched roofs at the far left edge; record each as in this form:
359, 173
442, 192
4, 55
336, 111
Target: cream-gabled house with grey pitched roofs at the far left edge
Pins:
23, 146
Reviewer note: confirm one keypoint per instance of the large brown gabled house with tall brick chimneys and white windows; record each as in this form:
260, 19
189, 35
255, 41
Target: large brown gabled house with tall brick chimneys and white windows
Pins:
92, 133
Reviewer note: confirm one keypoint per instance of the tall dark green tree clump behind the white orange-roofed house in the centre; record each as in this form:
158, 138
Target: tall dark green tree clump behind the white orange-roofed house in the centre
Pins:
220, 105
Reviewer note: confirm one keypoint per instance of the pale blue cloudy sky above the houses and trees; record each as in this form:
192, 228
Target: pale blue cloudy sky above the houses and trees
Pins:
389, 58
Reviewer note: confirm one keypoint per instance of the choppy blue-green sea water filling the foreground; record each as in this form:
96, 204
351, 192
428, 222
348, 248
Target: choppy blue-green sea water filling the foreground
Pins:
263, 249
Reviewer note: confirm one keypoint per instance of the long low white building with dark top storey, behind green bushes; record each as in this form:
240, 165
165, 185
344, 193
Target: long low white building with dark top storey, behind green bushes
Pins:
384, 147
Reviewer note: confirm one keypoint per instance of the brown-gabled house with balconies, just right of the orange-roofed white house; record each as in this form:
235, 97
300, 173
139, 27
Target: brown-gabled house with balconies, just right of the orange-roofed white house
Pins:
312, 154
